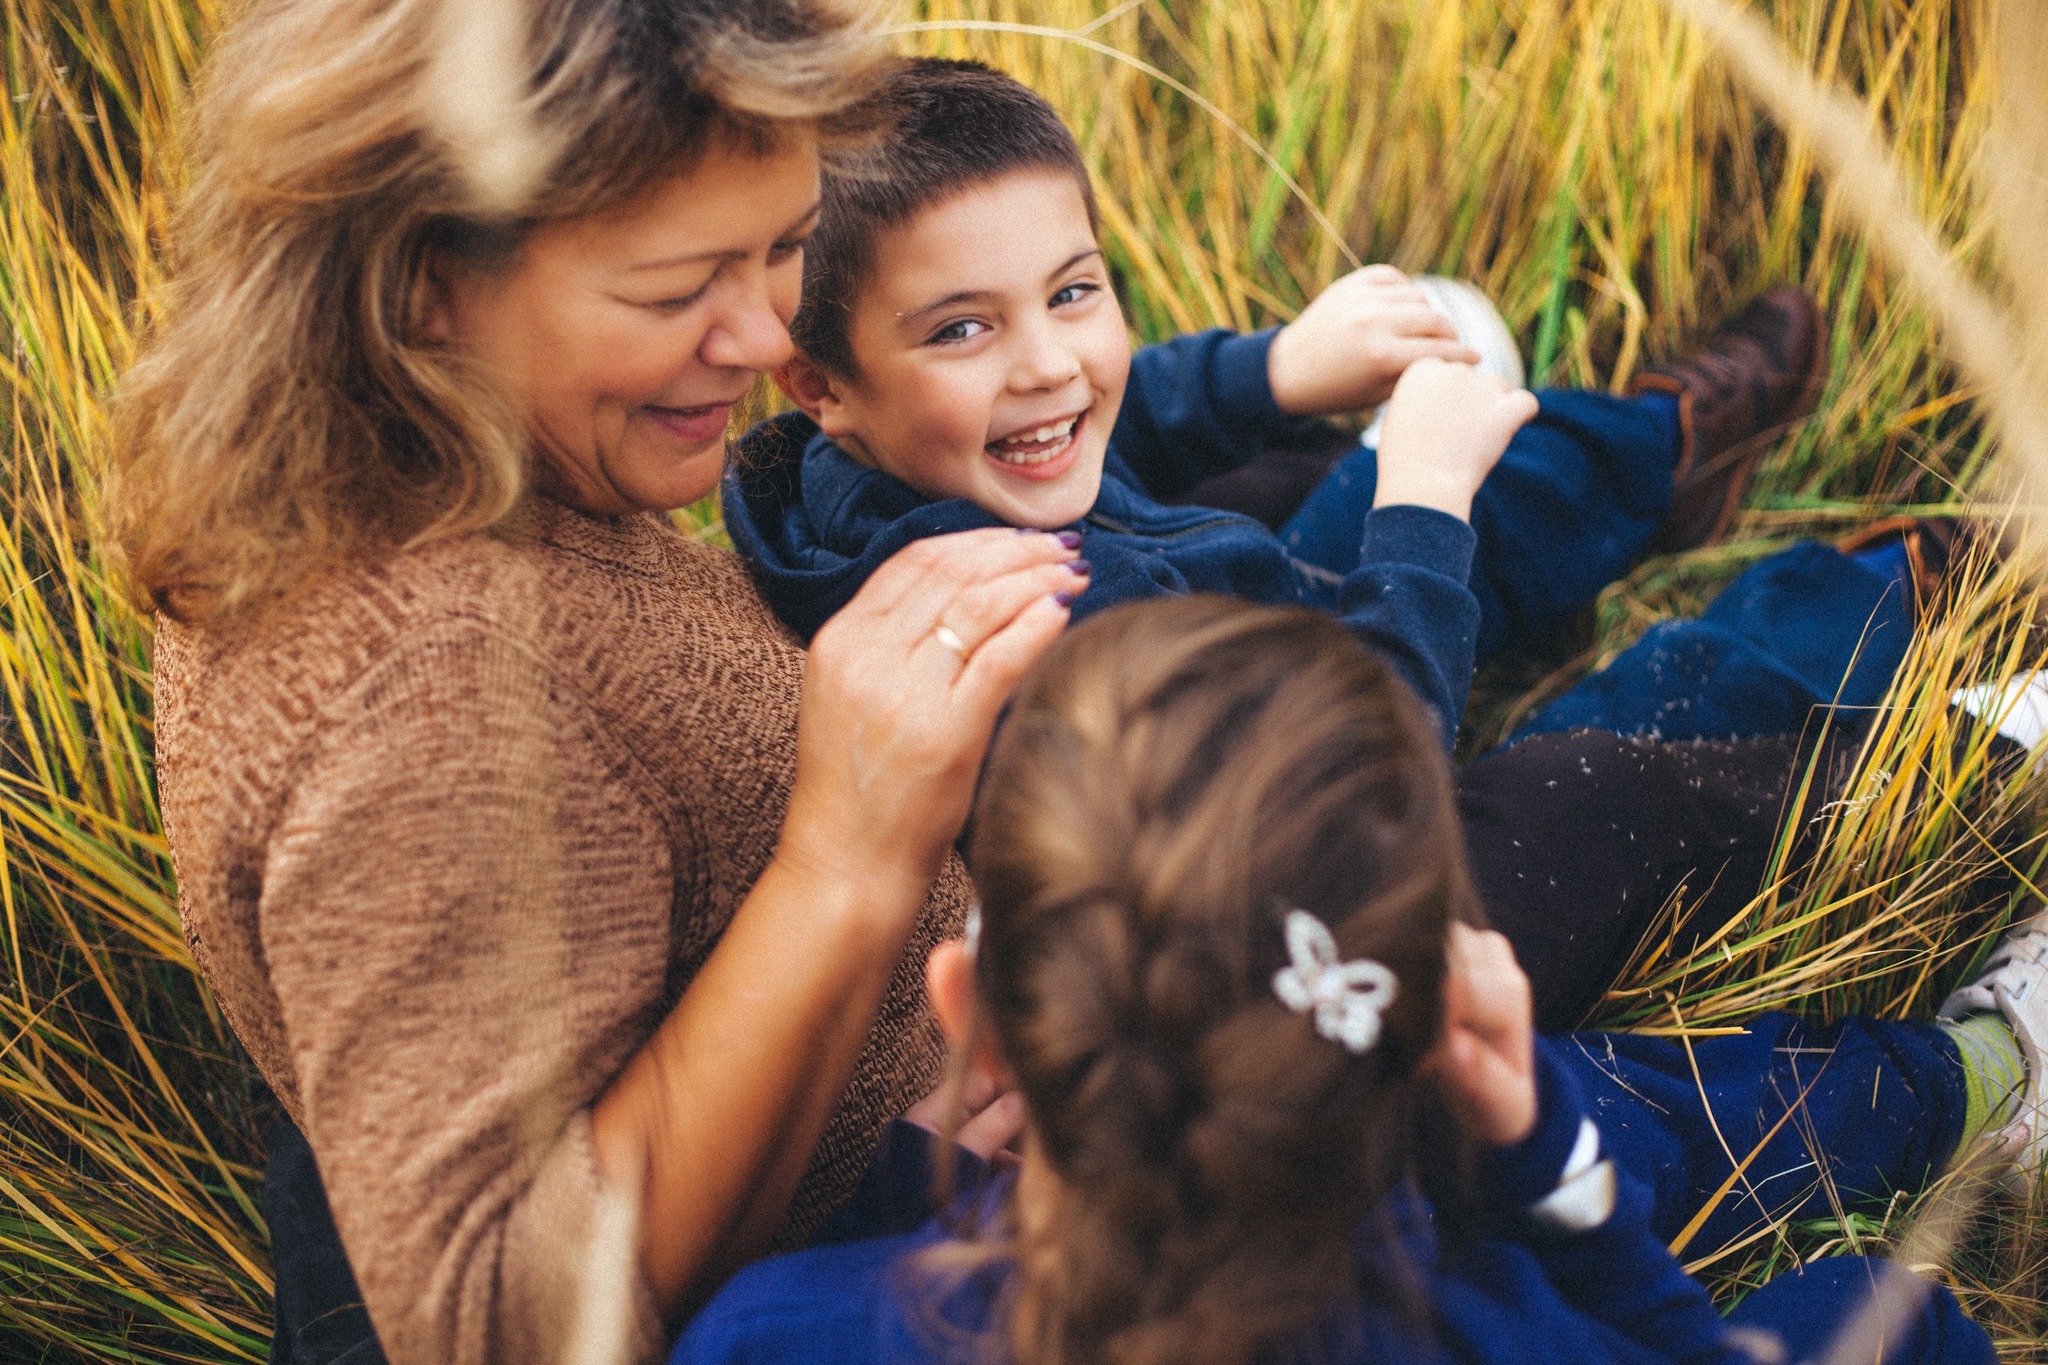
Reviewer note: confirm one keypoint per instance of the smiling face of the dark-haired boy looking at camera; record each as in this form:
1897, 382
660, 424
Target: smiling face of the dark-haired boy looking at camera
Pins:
992, 353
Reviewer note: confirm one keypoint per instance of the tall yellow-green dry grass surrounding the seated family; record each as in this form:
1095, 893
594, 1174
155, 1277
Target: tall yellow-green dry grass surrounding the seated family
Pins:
1592, 165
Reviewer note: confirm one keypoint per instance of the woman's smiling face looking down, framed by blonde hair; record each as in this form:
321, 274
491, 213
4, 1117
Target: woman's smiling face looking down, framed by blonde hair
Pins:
628, 337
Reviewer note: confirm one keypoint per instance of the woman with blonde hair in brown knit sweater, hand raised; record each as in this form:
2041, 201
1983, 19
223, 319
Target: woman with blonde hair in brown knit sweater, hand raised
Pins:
570, 912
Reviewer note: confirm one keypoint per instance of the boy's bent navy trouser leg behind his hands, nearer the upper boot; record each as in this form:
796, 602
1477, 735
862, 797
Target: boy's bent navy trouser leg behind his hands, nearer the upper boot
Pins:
1568, 511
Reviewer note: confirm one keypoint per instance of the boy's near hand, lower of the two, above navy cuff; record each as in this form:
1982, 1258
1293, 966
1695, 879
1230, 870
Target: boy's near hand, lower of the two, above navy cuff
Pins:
1447, 429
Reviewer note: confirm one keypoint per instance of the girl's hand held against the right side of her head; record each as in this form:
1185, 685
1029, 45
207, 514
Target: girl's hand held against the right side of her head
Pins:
1488, 1057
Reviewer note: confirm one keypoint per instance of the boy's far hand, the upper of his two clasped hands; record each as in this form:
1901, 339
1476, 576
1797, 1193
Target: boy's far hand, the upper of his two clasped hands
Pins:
1355, 341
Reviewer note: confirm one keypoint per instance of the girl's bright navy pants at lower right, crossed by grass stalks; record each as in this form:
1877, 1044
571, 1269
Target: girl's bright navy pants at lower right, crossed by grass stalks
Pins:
1875, 1108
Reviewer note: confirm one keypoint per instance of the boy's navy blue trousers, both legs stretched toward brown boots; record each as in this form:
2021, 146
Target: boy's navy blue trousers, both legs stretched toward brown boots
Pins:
1568, 511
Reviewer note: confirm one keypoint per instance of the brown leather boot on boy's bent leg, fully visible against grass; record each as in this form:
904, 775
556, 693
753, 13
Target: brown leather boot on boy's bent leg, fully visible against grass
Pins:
1738, 394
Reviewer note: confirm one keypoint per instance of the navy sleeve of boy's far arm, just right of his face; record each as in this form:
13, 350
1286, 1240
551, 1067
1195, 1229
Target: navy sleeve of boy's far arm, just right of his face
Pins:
1197, 406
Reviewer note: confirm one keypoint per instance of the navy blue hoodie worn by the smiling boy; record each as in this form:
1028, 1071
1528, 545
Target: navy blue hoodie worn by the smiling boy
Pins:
814, 523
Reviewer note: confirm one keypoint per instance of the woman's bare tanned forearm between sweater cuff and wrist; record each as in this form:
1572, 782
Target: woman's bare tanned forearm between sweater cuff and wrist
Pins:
716, 1118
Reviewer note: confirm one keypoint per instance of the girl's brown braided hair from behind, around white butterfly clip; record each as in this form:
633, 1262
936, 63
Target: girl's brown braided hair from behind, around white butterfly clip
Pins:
1175, 781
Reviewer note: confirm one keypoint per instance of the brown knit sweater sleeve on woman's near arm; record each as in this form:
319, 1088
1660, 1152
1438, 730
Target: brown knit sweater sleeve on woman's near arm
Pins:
450, 856
